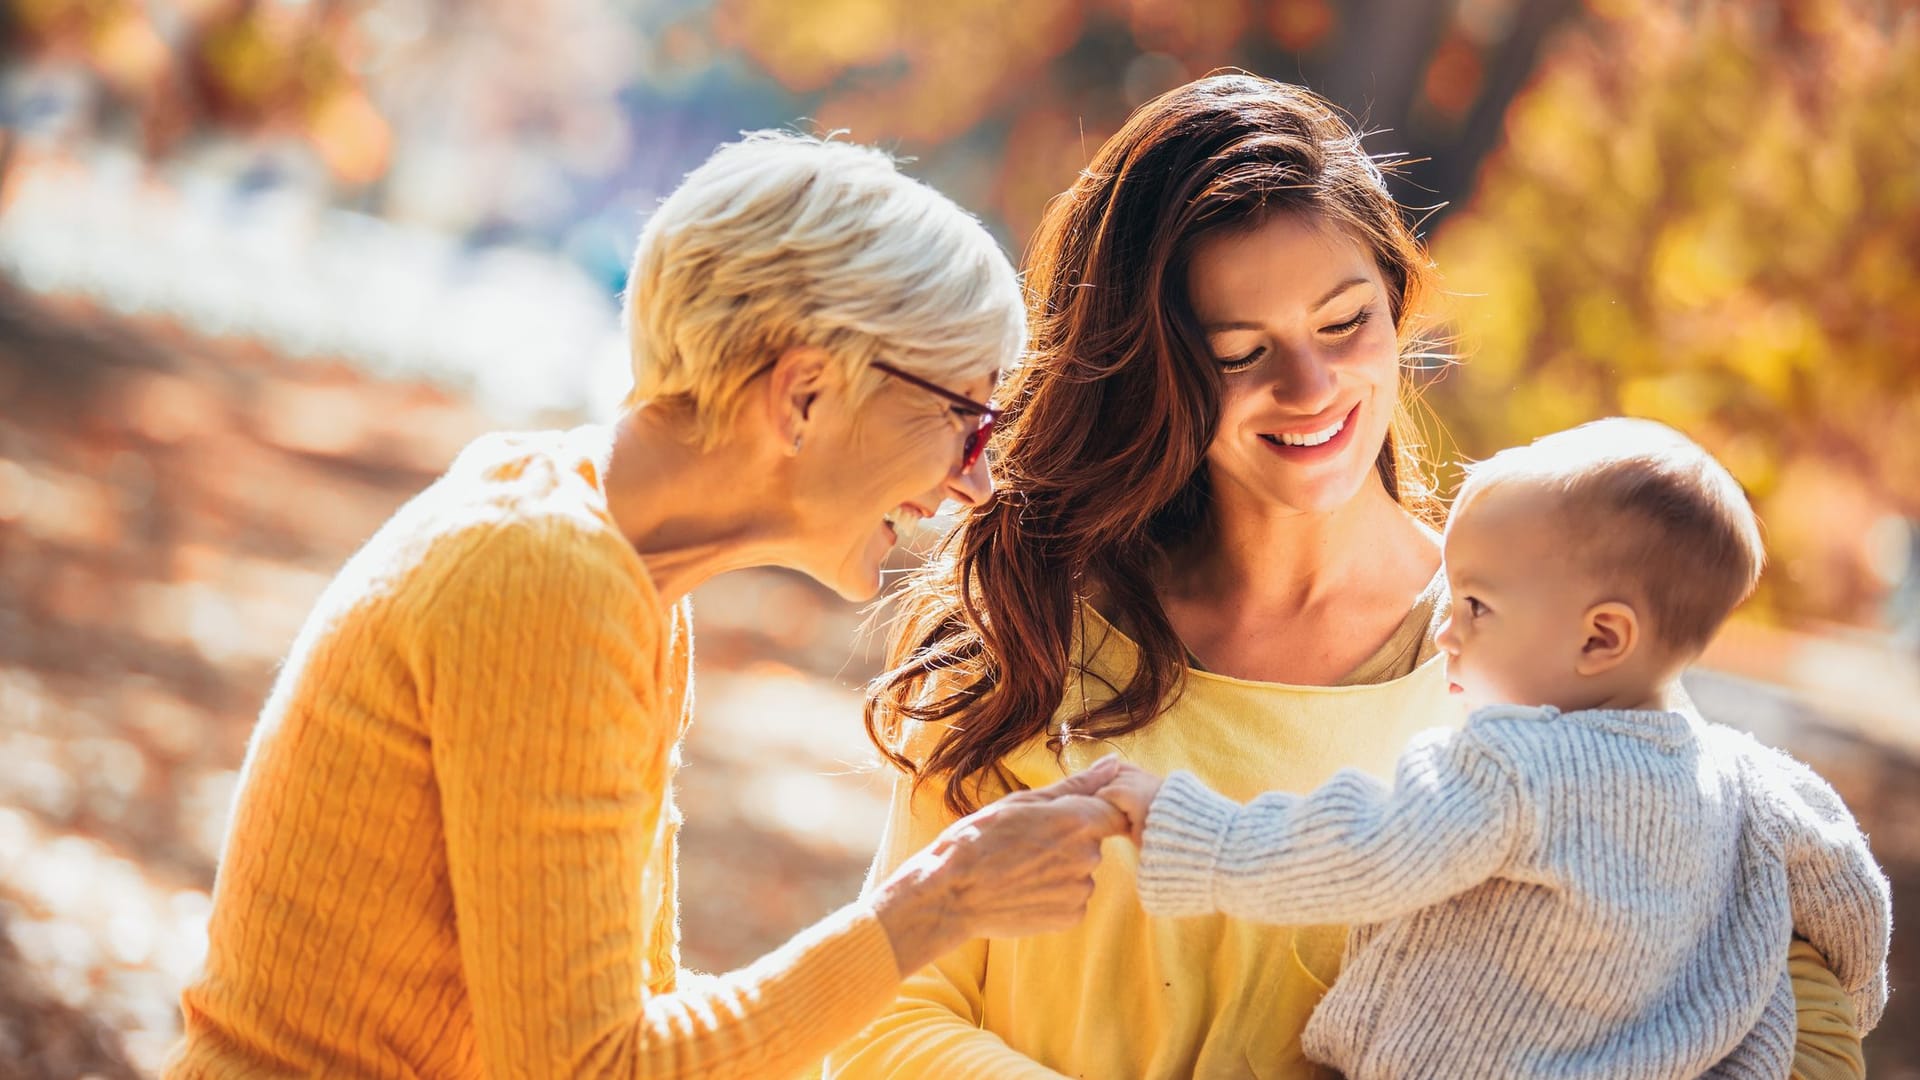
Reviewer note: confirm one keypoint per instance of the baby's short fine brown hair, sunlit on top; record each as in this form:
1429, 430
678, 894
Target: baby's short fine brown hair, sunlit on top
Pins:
1643, 503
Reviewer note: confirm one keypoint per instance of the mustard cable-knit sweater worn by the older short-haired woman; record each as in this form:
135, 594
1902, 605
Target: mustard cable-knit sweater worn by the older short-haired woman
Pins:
454, 843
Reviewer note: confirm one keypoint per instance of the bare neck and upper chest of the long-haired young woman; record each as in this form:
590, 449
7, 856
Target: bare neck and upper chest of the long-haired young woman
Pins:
1274, 558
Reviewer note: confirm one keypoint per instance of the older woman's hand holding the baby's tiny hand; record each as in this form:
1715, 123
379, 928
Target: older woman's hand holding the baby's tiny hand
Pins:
1020, 866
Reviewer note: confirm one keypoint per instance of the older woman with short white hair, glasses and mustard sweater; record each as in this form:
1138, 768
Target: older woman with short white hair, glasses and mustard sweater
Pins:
454, 843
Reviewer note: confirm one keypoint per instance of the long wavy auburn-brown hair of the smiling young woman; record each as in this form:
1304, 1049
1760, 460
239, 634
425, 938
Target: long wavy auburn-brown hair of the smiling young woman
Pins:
1099, 456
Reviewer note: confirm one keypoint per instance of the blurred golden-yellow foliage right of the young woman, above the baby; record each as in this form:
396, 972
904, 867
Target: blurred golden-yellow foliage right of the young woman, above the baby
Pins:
1716, 222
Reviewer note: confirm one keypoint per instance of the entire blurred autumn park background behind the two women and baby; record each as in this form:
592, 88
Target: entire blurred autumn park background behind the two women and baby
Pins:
268, 264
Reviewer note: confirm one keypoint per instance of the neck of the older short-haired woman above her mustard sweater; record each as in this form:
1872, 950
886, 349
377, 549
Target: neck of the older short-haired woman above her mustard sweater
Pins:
690, 512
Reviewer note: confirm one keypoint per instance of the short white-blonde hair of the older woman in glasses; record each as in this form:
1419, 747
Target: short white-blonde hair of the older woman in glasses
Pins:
784, 241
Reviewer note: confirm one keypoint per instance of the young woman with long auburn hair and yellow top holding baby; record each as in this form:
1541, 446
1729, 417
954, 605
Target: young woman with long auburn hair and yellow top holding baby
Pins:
1212, 552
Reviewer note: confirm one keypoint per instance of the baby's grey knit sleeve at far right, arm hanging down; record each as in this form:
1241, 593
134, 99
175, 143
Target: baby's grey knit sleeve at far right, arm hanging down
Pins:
1842, 902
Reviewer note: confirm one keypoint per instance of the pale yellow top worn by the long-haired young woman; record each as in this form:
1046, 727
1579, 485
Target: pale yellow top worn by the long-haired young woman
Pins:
1126, 996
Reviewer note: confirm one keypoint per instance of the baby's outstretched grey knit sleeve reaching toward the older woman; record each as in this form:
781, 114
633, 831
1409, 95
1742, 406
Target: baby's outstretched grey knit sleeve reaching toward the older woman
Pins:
1349, 852
